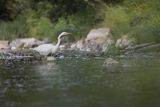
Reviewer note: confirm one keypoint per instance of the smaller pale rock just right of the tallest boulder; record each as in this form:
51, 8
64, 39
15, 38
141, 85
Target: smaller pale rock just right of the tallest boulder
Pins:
124, 42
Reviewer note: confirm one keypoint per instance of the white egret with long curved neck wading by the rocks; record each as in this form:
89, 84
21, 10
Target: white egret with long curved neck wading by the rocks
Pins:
46, 49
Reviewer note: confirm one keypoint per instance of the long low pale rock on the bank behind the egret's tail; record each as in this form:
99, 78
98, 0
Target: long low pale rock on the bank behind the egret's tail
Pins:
25, 43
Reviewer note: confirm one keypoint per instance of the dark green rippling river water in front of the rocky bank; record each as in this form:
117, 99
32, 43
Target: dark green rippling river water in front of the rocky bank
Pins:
82, 82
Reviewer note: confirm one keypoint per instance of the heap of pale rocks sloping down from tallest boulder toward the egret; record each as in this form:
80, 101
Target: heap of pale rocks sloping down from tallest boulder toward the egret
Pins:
98, 40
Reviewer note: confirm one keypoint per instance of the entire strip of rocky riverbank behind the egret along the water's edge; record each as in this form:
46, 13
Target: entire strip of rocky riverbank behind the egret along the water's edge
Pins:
98, 41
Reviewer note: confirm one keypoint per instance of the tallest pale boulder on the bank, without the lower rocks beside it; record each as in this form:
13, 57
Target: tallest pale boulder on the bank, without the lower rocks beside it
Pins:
99, 40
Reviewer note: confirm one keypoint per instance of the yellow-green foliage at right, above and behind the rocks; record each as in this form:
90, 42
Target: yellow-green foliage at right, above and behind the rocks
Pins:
139, 19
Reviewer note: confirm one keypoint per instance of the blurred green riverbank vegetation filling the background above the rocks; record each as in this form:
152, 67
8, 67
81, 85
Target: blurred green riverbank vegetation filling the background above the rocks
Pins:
47, 18
